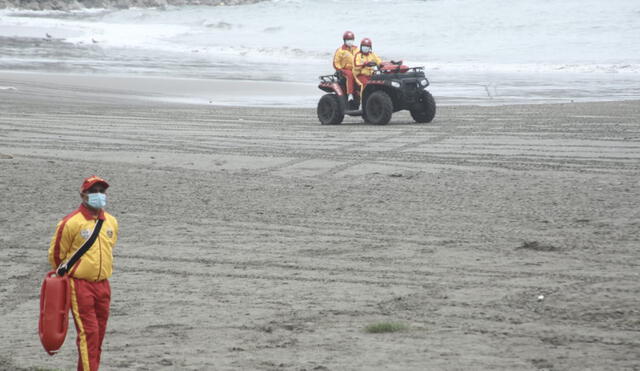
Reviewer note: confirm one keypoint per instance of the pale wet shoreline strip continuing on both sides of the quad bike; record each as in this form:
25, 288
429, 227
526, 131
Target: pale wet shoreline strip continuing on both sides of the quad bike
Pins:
216, 92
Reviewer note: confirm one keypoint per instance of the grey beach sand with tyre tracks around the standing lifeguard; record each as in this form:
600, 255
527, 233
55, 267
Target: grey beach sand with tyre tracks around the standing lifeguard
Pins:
255, 238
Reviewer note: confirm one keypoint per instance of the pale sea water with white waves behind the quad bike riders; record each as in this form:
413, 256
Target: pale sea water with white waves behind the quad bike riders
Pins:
474, 51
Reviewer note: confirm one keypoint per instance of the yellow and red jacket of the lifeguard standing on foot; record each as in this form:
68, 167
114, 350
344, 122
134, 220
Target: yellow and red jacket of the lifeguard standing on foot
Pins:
97, 263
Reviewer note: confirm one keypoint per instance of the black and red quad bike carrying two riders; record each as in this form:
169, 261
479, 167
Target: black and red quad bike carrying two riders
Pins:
393, 87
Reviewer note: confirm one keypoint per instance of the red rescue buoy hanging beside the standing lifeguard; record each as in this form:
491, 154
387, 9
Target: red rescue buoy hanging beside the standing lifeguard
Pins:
55, 301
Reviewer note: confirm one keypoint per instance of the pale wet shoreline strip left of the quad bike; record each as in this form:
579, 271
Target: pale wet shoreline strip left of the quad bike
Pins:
179, 90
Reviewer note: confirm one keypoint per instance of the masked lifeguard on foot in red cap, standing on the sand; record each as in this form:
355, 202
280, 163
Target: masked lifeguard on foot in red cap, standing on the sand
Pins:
90, 290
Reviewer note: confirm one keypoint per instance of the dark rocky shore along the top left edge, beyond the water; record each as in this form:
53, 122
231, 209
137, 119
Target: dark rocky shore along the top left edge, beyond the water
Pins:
118, 4
